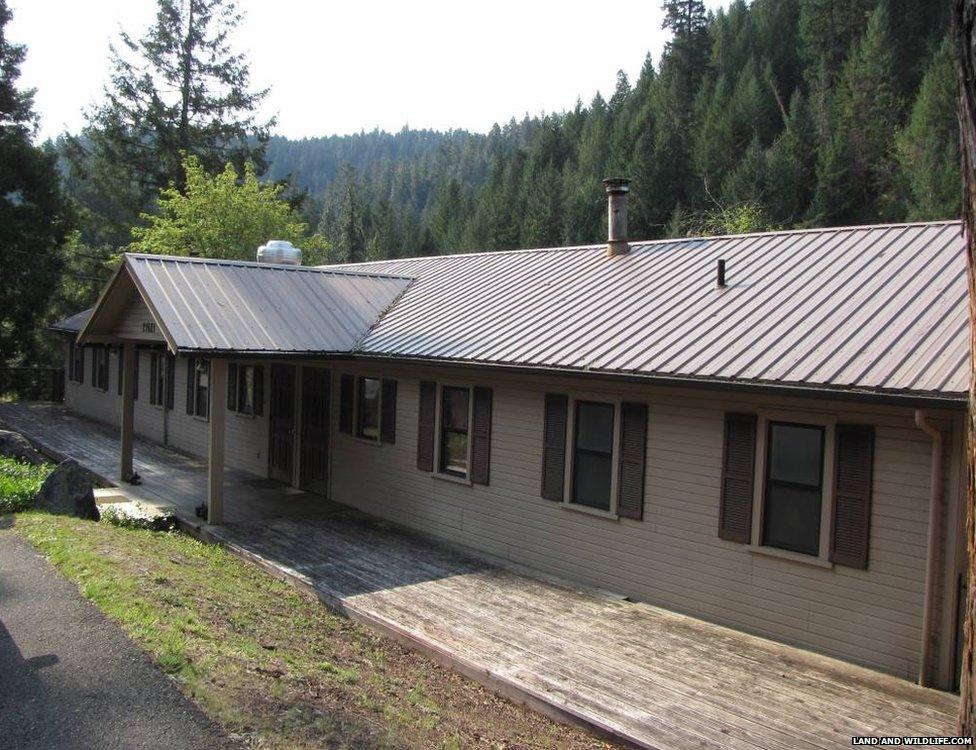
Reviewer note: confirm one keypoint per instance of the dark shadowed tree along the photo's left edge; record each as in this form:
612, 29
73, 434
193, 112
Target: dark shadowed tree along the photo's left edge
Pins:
34, 217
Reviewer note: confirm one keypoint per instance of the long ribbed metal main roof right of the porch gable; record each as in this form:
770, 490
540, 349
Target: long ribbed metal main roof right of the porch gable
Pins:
871, 308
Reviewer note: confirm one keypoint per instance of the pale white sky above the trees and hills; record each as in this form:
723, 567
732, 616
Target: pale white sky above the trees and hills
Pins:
342, 67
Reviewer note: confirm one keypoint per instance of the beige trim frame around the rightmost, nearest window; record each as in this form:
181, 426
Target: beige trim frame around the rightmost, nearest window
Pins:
804, 419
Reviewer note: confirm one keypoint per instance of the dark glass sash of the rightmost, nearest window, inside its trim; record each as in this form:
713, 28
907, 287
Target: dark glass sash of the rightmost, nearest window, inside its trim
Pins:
794, 487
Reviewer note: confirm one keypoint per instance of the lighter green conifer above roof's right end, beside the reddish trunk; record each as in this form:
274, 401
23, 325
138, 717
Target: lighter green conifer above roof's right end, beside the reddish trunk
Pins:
928, 147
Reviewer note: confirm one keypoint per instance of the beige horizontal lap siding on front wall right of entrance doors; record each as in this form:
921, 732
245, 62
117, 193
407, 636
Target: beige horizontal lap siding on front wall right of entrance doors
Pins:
674, 556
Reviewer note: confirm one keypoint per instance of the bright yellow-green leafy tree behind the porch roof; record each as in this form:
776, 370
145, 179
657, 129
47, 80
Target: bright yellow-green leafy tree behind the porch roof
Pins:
223, 216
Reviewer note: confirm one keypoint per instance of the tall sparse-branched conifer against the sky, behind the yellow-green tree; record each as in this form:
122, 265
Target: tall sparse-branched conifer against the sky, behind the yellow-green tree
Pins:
180, 89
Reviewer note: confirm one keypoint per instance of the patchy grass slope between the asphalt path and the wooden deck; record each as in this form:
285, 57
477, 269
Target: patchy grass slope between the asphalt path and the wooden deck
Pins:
270, 664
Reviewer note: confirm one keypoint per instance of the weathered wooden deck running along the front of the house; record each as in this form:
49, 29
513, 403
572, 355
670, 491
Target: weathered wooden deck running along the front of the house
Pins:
650, 676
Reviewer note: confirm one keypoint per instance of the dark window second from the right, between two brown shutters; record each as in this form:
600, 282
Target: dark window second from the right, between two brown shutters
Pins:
593, 455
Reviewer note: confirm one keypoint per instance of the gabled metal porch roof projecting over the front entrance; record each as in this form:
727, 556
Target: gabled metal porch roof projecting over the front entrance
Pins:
214, 306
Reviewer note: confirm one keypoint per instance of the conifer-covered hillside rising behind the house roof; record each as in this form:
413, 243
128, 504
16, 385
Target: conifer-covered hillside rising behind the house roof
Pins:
776, 113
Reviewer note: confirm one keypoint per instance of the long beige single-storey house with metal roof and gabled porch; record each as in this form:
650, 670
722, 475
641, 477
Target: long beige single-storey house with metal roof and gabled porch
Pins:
765, 431
